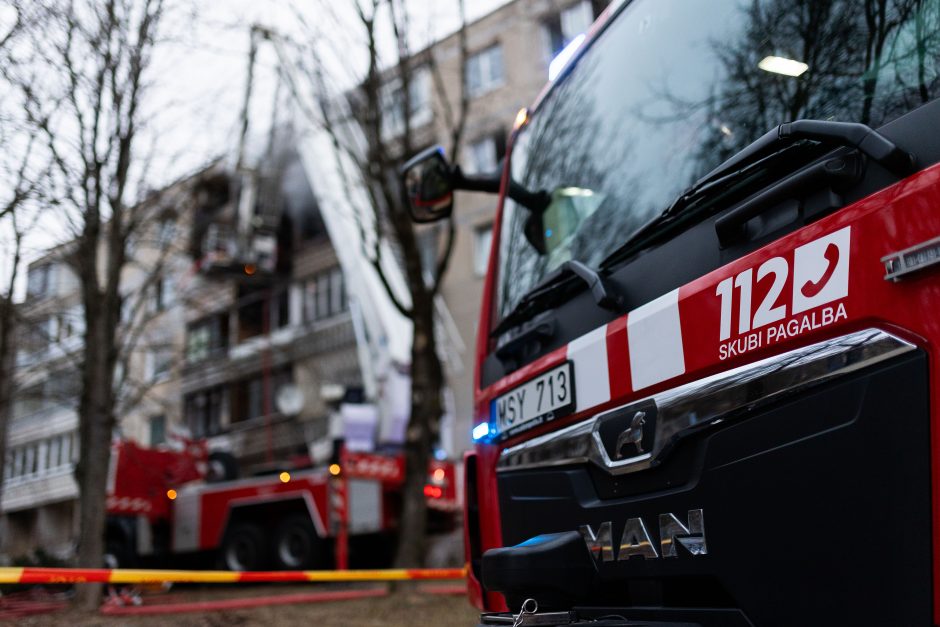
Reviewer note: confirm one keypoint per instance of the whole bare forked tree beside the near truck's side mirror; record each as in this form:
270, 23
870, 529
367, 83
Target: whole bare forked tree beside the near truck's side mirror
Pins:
381, 110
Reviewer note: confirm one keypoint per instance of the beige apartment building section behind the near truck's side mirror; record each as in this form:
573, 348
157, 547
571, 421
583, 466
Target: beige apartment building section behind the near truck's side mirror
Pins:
509, 53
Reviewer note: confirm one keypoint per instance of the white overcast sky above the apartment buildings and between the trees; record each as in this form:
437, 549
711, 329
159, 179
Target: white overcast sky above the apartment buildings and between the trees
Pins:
198, 76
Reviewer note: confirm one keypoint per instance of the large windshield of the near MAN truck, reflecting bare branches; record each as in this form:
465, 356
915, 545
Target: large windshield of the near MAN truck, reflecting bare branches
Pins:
670, 89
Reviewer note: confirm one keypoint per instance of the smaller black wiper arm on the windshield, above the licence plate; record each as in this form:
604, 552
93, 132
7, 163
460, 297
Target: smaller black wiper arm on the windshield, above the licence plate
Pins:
549, 292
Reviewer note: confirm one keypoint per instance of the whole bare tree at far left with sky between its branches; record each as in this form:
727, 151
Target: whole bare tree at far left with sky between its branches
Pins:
83, 79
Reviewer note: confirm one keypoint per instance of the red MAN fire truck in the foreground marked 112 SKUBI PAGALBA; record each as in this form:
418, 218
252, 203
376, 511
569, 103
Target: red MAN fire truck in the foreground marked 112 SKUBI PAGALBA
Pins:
706, 386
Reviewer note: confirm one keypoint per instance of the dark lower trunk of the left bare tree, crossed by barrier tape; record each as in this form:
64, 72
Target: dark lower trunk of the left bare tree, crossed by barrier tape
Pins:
96, 422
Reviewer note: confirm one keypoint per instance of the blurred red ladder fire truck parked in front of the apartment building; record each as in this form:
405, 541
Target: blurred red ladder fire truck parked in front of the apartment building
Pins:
165, 503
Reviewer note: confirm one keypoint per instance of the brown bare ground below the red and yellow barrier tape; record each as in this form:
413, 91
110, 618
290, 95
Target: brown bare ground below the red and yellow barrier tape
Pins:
399, 609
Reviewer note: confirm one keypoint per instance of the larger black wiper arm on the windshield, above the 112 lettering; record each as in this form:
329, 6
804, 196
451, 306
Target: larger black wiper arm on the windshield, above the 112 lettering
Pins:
772, 149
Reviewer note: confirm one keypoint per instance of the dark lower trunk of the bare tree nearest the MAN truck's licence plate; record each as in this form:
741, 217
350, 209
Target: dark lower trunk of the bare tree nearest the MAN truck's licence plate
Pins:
423, 428
